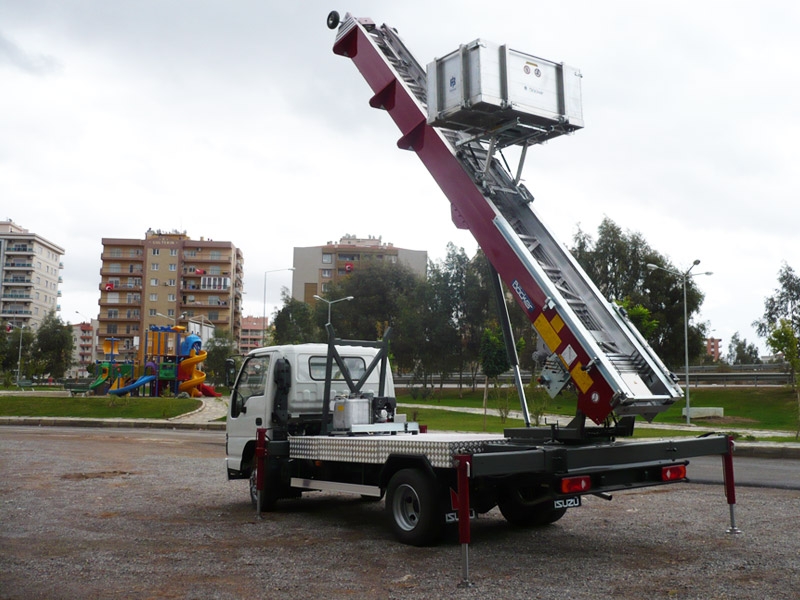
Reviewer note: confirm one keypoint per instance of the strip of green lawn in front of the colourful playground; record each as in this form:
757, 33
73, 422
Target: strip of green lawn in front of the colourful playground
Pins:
96, 407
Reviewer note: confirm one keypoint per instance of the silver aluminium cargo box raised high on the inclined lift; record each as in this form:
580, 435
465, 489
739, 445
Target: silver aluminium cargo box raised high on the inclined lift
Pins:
484, 86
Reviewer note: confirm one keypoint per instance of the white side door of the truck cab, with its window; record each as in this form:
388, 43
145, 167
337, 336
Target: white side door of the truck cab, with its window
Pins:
250, 408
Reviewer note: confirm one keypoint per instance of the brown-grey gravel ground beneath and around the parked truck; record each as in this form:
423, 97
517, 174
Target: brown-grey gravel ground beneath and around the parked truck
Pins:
92, 513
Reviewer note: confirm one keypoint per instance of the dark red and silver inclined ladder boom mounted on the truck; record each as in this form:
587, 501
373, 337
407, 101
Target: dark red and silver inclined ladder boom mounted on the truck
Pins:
592, 342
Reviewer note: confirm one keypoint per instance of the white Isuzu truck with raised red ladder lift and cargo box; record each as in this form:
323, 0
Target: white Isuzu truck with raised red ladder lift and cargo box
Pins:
325, 418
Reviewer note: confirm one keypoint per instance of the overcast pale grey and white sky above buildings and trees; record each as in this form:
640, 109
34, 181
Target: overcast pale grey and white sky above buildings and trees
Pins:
233, 120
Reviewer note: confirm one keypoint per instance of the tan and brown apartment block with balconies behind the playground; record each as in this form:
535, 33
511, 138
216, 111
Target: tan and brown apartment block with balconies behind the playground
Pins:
167, 278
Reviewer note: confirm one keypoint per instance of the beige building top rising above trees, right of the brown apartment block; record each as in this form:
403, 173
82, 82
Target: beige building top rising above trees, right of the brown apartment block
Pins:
317, 267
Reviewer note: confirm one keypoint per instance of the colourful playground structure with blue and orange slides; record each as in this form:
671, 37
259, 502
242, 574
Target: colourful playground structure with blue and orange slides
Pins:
167, 364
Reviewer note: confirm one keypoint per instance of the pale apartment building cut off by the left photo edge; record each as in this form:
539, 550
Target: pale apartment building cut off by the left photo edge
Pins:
30, 268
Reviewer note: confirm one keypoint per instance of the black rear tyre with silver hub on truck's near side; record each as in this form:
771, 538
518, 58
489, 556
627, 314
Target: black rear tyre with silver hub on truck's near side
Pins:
415, 508
